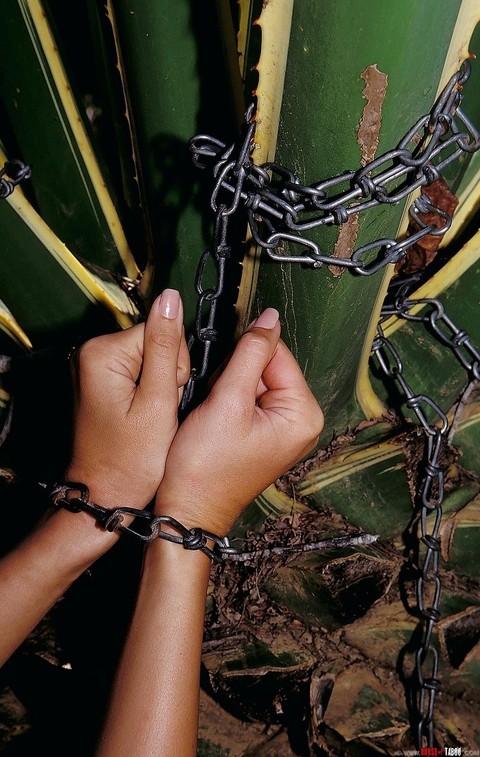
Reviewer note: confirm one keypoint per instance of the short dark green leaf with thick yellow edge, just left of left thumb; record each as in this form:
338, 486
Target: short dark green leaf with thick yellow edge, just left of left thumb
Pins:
48, 291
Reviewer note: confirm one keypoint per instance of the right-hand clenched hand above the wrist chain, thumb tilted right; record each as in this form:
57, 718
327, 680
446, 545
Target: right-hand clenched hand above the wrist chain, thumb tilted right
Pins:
259, 419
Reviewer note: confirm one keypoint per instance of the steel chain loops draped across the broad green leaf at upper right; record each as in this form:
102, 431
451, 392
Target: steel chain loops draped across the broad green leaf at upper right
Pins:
280, 209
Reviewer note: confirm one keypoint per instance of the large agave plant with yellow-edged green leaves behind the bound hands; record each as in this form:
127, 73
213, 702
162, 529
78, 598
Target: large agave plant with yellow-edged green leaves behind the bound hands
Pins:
315, 643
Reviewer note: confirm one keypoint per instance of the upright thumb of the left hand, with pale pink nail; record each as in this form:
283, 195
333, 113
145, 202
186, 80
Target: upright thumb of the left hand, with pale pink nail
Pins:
161, 349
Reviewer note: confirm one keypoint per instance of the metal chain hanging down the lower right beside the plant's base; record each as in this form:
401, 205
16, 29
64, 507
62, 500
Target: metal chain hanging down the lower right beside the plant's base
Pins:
431, 489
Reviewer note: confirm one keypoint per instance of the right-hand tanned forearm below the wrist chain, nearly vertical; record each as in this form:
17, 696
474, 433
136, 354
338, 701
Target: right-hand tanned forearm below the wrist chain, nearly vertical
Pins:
159, 675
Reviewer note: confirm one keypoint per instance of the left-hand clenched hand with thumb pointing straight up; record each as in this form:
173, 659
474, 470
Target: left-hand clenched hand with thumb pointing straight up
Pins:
128, 386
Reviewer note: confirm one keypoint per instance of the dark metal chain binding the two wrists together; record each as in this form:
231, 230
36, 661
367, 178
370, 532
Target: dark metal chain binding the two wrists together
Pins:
146, 526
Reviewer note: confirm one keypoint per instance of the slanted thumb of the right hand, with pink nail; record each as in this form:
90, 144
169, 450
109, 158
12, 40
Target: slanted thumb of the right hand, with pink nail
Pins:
253, 352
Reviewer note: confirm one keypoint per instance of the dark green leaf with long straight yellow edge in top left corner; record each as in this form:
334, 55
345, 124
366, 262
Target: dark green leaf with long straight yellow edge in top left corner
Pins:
52, 135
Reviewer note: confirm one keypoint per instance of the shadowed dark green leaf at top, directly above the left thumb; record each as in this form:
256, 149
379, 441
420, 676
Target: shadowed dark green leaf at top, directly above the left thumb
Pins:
169, 103
